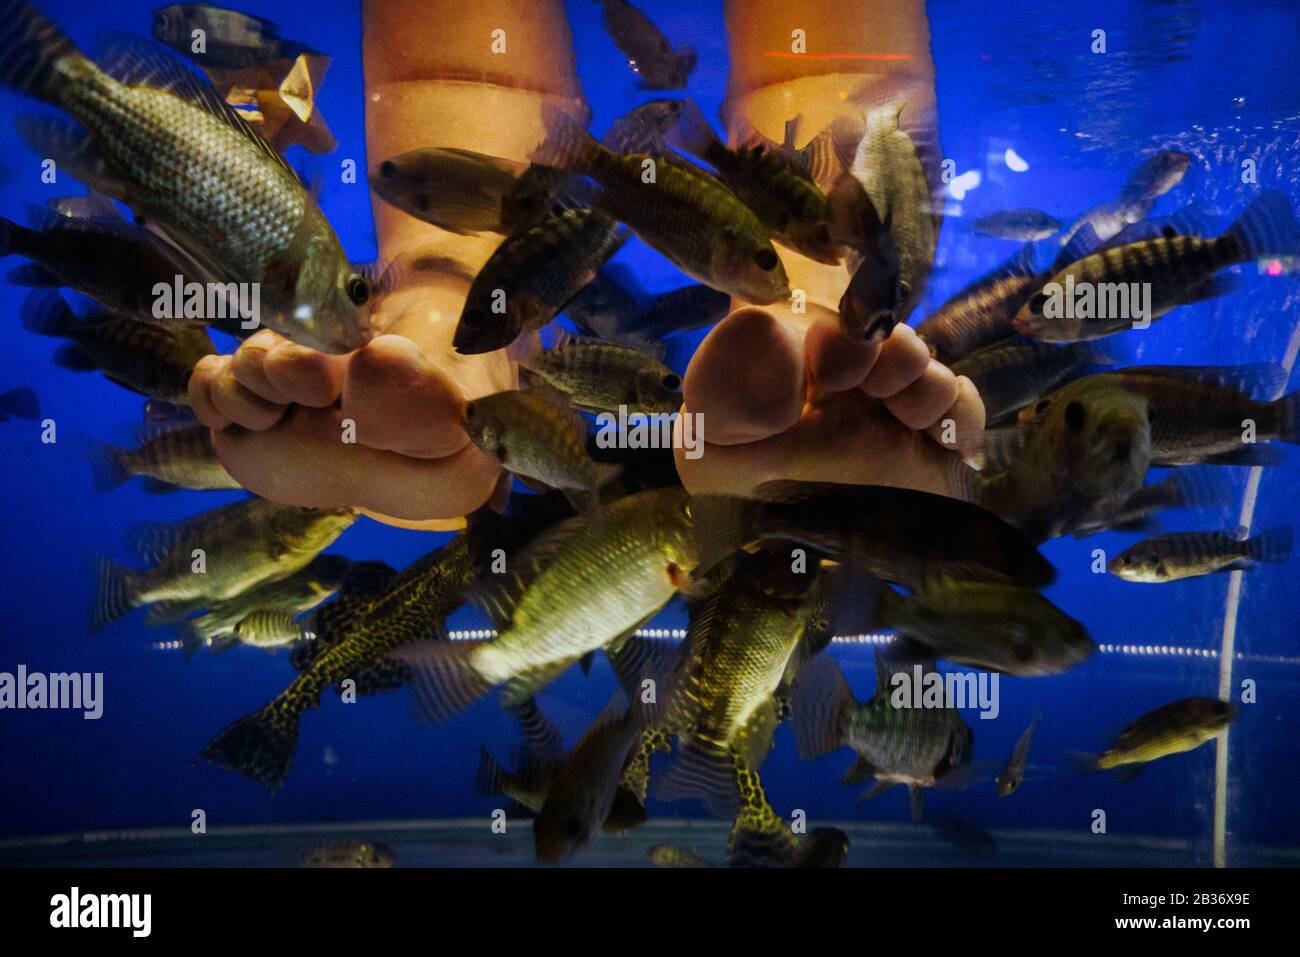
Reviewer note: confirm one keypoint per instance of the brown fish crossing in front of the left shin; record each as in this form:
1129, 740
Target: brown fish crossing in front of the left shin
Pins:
457, 190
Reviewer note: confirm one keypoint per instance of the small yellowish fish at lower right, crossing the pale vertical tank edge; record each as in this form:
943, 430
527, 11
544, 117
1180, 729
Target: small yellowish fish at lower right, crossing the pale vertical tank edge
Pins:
1173, 729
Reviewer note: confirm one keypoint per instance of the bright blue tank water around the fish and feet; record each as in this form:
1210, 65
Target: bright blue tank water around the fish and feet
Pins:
1214, 80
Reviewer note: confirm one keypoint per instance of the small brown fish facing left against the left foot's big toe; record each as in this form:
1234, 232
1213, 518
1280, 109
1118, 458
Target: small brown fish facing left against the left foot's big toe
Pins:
538, 436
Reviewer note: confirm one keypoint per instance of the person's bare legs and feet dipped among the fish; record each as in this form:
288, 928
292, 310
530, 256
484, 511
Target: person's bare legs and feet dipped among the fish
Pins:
783, 395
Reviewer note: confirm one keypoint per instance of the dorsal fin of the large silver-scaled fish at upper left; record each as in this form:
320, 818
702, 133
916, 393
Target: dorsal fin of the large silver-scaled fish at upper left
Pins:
137, 62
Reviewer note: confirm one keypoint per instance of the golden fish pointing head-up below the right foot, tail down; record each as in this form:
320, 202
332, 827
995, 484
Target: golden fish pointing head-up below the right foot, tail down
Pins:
721, 703
